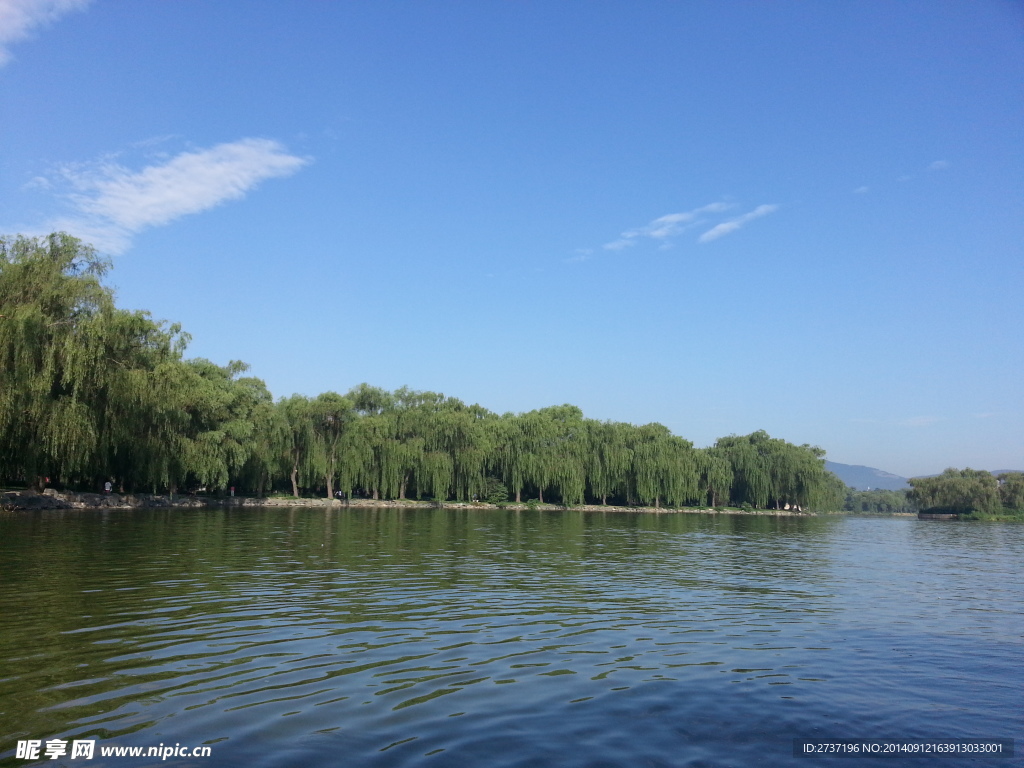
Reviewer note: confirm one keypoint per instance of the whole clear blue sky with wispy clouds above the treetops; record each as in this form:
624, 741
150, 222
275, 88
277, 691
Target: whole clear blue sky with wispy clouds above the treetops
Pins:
723, 217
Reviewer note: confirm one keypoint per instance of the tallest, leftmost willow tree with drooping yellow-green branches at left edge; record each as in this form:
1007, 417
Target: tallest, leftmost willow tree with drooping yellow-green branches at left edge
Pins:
75, 372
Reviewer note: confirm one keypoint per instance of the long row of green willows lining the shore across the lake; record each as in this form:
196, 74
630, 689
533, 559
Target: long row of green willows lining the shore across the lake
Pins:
91, 394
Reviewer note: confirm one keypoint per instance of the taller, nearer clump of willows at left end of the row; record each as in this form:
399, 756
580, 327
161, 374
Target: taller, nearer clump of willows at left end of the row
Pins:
90, 392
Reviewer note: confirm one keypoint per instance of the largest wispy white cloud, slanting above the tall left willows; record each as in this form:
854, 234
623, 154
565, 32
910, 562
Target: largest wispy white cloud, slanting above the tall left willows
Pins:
112, 203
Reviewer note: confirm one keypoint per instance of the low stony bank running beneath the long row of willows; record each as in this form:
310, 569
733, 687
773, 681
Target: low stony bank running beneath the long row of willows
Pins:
51, 499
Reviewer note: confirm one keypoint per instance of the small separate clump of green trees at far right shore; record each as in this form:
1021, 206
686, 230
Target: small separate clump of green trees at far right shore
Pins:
971, 492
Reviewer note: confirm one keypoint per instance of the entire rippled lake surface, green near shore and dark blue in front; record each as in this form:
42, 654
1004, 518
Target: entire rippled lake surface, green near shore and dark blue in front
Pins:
362, 637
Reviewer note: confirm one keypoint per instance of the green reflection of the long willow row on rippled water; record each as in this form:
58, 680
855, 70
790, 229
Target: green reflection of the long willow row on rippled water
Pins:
131, 600
